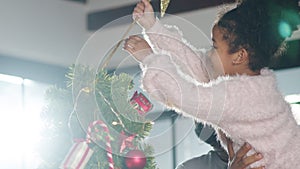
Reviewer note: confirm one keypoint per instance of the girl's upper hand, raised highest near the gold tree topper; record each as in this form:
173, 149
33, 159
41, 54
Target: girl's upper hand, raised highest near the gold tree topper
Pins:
143, 14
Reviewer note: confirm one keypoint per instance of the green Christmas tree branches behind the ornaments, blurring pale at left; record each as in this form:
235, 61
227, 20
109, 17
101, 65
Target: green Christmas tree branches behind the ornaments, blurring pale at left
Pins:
112, 94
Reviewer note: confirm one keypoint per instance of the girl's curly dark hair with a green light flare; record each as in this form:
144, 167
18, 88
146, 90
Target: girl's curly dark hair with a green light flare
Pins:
253, 25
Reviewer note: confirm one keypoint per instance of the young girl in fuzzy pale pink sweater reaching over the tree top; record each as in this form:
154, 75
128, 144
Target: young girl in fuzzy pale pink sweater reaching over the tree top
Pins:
244, 102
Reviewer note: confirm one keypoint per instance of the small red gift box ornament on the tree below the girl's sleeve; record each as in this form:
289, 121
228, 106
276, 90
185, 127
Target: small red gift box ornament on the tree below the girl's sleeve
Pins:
140, 103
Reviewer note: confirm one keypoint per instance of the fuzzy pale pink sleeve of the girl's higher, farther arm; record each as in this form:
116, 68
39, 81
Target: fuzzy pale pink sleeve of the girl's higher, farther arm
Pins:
169, 40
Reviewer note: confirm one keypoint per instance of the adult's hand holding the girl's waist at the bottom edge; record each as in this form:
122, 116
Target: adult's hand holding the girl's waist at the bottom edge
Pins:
239, 160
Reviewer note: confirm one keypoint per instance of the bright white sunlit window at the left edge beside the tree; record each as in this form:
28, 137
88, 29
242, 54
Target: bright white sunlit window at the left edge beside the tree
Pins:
21, 103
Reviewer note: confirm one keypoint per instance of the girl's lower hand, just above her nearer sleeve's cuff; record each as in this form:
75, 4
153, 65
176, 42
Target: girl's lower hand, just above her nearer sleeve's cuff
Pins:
137, 47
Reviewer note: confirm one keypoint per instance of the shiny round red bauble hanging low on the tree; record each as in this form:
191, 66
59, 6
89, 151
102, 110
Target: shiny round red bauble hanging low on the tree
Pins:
135, 159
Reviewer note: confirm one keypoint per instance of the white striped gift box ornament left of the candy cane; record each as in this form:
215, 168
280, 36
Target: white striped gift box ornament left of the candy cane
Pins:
78, 156
